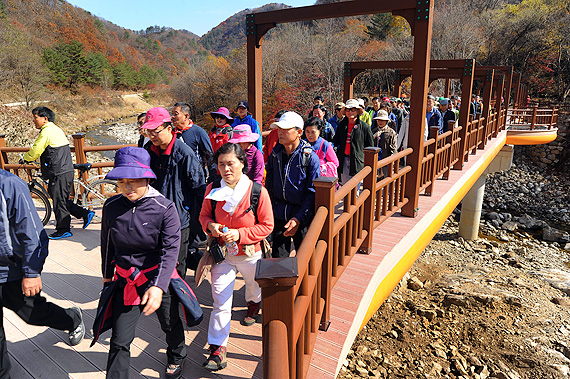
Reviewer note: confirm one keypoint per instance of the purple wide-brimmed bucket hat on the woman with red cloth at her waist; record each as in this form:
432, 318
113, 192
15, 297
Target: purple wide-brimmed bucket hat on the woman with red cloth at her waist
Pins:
131, 163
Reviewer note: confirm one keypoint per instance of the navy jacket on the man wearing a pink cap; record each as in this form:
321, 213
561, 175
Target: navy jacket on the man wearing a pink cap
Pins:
179, 177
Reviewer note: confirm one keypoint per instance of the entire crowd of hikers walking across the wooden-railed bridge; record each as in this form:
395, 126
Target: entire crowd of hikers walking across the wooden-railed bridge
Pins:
183, 189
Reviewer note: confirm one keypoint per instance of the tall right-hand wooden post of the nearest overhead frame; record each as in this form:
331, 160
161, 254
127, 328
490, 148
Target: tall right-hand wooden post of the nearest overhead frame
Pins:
420, 73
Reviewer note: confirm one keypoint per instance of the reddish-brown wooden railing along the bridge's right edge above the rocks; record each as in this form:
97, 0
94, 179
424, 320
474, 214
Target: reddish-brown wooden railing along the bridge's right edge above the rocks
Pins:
296, 291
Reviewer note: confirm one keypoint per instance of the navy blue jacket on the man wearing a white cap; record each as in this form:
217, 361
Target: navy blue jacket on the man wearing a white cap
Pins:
290, 185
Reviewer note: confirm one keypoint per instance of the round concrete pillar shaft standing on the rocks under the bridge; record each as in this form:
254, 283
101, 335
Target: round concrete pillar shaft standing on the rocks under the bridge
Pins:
471, 210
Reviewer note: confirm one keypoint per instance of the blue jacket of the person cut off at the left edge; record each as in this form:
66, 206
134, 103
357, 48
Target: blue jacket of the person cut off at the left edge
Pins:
23, 240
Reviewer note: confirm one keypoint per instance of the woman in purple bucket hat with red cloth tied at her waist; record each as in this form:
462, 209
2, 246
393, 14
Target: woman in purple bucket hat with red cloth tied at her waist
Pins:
141, 265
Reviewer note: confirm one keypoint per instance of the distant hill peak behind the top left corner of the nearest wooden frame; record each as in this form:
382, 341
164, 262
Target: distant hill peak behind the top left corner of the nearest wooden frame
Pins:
230, 34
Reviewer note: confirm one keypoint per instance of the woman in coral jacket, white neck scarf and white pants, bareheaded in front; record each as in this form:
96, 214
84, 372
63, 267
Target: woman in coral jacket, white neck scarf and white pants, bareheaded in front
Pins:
228, 205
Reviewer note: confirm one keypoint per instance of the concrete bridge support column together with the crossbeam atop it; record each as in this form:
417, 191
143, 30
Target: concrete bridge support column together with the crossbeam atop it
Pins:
473, 200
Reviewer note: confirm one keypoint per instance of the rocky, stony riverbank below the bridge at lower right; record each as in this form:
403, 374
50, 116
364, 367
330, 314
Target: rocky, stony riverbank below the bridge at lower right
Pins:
497, 307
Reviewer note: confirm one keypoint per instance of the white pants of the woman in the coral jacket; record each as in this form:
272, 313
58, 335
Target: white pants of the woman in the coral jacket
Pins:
223, 281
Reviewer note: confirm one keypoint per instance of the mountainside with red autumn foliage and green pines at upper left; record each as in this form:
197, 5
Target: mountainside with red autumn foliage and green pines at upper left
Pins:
53, 42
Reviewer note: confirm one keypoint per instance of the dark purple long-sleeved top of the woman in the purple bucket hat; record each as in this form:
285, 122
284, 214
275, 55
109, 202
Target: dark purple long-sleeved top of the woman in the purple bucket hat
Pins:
140, 234
